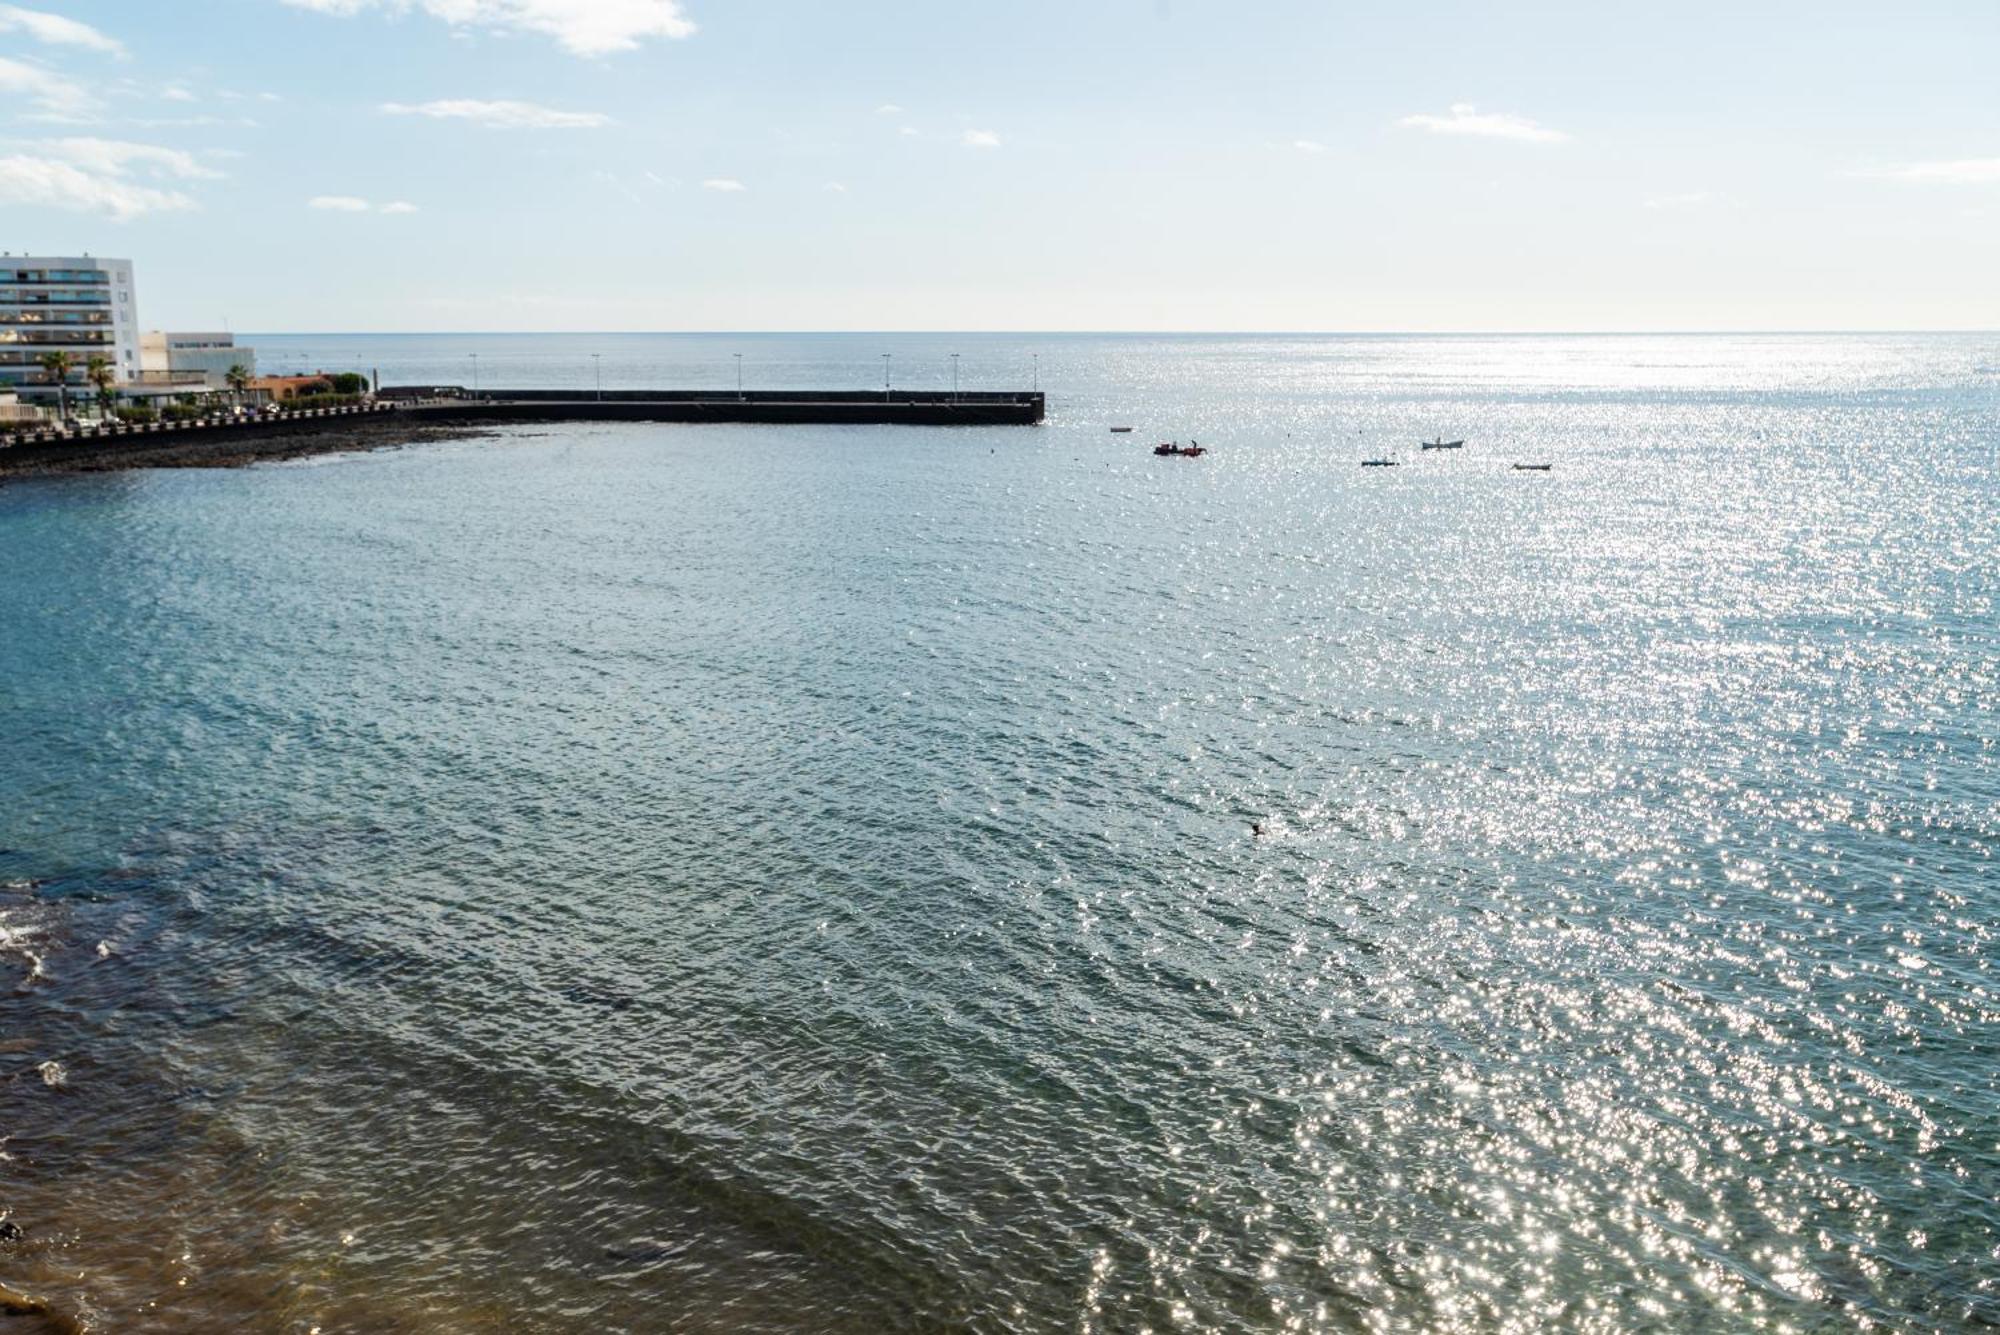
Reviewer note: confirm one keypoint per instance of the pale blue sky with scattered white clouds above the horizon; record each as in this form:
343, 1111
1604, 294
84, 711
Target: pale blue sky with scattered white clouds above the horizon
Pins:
1041, 165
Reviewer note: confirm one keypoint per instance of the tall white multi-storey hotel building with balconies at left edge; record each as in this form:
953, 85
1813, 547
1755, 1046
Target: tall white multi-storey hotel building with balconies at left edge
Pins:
75, 305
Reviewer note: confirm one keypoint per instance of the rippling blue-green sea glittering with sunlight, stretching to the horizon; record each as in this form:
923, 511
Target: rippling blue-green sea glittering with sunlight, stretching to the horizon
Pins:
723, 878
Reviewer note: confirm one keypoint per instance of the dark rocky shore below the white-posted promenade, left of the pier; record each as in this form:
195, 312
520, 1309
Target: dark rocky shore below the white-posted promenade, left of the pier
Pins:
223, 443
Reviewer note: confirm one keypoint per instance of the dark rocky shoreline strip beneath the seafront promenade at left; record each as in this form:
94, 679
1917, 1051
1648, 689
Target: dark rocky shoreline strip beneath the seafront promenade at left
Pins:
227, 449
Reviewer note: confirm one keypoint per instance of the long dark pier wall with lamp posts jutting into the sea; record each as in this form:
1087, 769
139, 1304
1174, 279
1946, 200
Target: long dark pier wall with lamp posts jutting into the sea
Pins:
769, 407
